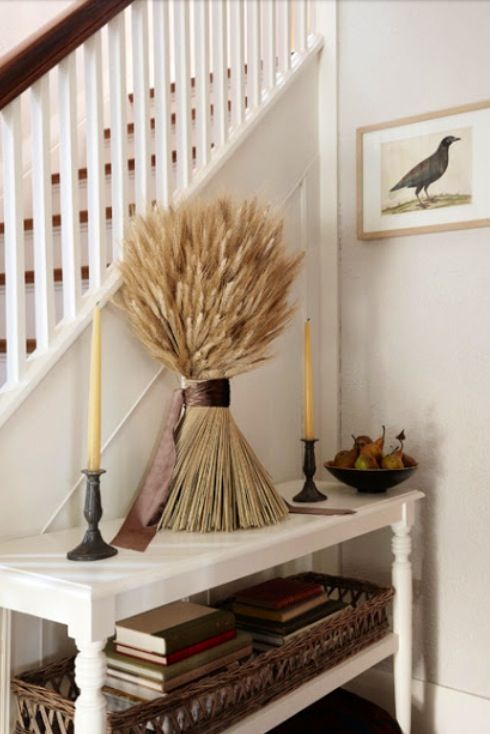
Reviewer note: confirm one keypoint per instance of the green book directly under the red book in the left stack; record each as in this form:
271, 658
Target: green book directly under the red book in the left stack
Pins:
156, 672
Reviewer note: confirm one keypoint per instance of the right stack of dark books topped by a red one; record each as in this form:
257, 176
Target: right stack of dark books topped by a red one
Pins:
274, 611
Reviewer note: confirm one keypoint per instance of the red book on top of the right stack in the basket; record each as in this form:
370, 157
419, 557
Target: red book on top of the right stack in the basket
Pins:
279, 593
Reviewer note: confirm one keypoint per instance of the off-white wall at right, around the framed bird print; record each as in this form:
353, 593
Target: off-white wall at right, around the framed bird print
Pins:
415, 331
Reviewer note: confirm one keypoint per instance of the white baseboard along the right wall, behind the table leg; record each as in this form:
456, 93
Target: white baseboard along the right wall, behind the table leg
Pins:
435, 710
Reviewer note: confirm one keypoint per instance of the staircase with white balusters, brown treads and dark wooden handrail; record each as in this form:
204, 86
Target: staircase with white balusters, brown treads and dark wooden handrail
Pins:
113, 106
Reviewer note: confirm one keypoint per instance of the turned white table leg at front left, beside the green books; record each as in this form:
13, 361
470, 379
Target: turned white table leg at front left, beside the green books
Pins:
90, 671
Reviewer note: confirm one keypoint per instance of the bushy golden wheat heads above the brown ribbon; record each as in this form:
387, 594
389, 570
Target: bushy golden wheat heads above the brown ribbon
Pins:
206, 285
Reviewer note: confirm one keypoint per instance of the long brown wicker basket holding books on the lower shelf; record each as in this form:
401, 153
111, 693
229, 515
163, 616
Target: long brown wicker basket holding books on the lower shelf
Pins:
45, 698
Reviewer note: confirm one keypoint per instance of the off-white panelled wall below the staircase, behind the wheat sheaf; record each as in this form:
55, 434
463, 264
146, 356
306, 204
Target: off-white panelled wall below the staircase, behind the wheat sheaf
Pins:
43, 446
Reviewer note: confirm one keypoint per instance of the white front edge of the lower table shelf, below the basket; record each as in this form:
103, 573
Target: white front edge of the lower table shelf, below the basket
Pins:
278, 711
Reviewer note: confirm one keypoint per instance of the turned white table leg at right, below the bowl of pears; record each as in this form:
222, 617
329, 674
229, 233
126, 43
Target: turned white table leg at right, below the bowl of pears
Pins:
402, 622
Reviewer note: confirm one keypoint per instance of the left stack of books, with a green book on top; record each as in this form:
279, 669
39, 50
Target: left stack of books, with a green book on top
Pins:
155, 652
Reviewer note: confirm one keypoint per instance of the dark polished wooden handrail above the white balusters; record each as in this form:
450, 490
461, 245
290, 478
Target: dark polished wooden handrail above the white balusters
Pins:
41, 51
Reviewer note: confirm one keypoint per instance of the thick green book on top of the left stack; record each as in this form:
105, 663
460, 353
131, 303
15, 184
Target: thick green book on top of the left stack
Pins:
172, 627
